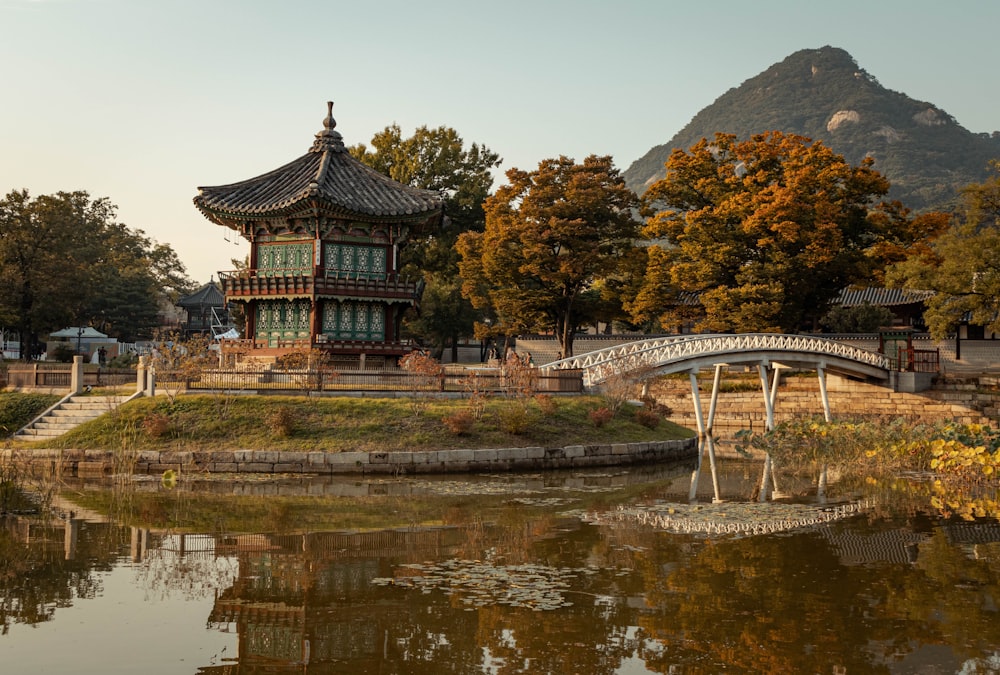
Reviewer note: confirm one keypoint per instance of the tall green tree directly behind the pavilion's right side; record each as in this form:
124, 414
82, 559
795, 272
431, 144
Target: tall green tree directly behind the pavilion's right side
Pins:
437, 159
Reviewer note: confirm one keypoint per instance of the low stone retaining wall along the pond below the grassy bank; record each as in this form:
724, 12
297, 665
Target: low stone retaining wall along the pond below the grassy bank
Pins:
100, 462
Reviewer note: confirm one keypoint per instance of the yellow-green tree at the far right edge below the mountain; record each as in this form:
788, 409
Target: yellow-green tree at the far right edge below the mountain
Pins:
962, 266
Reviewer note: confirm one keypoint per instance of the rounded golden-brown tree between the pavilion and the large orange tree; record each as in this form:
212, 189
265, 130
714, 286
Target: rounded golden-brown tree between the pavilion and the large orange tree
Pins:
550, 235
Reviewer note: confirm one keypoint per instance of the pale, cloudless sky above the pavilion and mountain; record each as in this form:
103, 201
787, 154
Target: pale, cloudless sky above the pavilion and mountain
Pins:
142, 101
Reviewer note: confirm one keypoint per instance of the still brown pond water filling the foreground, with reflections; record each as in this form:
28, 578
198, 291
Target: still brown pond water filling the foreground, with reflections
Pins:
628, 571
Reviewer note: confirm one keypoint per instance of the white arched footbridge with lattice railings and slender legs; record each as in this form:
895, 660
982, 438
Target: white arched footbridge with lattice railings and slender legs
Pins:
643, 359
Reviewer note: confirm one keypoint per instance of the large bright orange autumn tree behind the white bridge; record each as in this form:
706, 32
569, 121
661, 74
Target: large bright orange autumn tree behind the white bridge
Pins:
763, 234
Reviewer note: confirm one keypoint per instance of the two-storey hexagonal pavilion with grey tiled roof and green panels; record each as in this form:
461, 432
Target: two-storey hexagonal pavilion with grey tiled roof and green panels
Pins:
325, 233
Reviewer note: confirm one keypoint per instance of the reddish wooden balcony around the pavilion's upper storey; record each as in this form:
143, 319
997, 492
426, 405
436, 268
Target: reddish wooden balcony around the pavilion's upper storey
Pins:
250, 285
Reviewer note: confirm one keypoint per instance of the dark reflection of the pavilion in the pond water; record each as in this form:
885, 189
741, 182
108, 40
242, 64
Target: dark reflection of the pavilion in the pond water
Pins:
308, 598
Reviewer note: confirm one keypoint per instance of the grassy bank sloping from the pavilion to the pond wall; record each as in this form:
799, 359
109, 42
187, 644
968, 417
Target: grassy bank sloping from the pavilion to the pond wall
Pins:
339, 424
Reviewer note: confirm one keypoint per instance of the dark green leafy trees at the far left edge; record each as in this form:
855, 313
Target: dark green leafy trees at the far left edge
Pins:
64, 260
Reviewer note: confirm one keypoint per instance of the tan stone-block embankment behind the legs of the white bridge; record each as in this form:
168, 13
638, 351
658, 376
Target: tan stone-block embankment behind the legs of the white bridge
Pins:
963, 400
